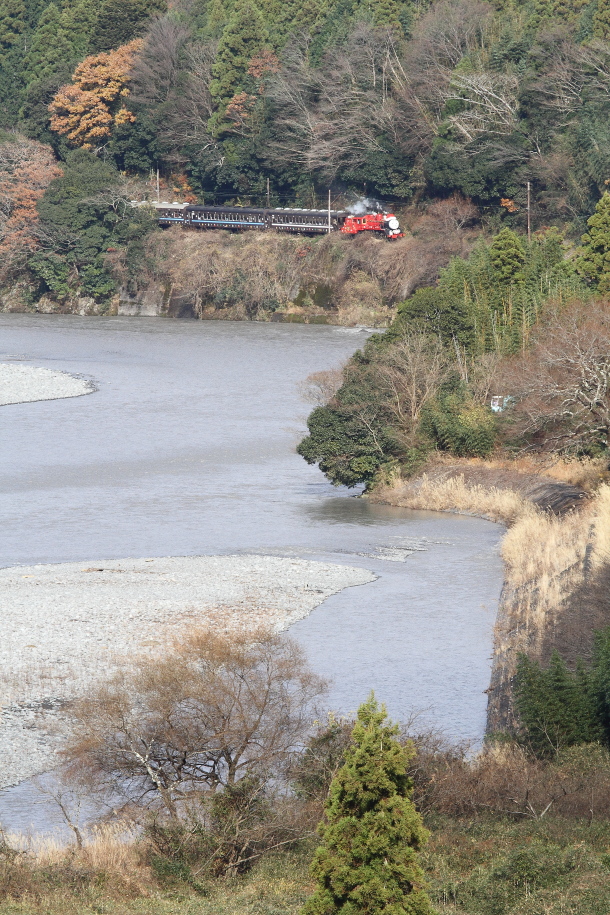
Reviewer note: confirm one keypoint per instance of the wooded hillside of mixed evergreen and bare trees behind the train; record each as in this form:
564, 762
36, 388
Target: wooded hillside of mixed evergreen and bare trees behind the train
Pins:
408, 103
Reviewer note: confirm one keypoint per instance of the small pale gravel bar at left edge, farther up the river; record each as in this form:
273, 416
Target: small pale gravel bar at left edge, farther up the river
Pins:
26, 384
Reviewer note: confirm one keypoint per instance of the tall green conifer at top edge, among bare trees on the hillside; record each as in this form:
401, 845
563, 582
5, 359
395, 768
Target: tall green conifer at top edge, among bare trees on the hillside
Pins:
242, 38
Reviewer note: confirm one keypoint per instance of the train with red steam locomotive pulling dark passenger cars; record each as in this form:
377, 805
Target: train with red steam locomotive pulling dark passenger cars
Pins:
306, 222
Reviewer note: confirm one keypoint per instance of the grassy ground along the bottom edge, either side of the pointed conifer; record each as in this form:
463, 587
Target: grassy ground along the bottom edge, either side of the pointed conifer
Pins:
478, 866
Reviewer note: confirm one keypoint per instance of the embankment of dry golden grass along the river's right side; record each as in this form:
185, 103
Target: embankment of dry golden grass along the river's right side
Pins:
556, 551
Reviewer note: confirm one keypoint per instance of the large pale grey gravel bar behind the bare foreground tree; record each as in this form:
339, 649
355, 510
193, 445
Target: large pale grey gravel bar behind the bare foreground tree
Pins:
62, 627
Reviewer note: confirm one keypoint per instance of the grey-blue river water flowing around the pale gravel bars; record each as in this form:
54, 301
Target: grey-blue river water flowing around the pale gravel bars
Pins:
188, 448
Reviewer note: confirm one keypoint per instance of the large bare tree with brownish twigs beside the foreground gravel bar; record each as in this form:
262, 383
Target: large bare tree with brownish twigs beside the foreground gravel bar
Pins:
214, 711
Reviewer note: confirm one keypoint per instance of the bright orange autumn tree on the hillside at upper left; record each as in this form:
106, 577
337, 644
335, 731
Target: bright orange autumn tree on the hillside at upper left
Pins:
88, 109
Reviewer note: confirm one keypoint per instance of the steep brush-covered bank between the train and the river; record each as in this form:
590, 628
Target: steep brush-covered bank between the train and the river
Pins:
265, 276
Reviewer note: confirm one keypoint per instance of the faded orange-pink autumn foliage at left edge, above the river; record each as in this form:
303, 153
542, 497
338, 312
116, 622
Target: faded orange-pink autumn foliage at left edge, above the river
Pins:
26, 170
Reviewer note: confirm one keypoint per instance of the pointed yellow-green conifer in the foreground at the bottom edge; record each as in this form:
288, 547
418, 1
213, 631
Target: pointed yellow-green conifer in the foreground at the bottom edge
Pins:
367, 862
